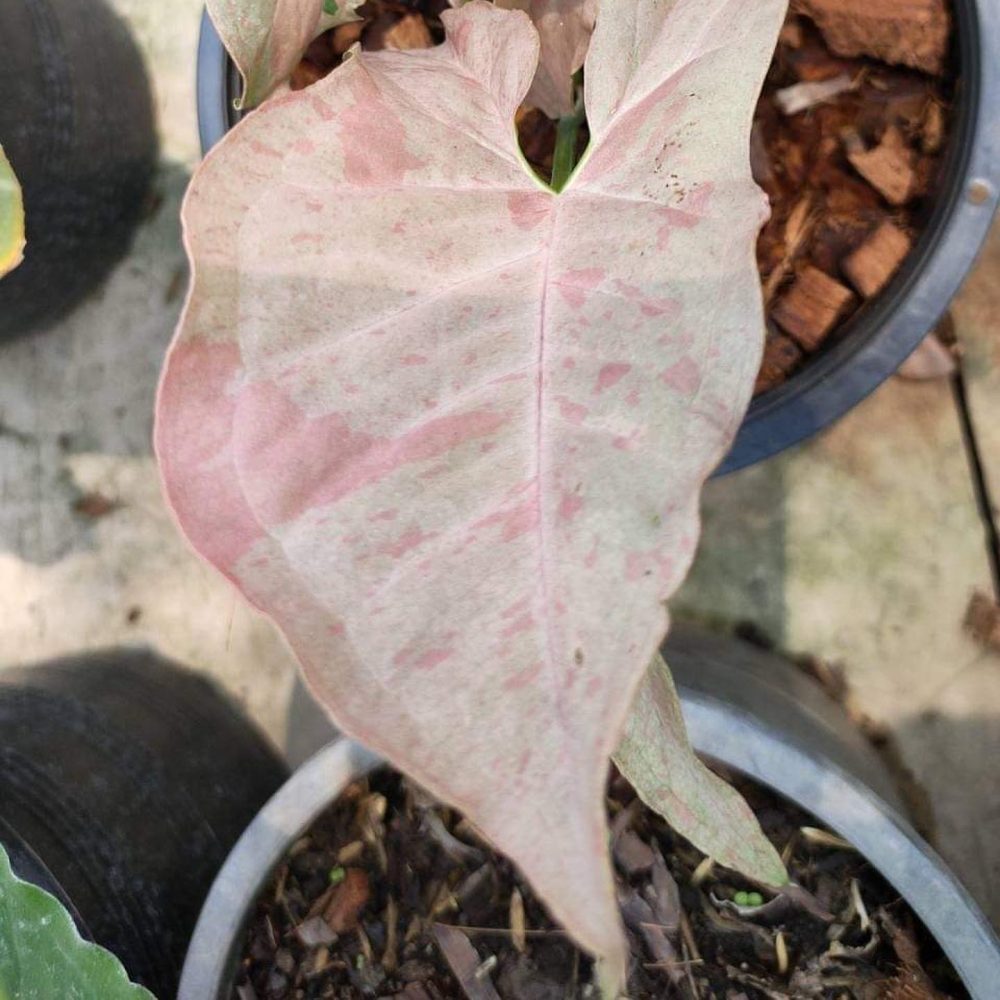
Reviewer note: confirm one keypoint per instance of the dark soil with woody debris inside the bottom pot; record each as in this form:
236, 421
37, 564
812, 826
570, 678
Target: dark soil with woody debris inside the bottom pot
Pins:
393, 895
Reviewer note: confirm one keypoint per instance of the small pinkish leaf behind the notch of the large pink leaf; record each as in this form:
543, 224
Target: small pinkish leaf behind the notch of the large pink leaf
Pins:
564, 30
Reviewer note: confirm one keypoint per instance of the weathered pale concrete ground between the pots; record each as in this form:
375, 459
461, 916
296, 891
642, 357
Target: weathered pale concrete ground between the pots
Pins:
861, 547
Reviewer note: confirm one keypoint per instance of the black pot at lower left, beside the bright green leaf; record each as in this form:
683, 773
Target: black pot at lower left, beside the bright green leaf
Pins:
124, 782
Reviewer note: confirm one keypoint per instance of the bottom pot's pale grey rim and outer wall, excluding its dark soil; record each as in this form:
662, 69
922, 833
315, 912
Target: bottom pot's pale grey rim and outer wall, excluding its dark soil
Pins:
748, 710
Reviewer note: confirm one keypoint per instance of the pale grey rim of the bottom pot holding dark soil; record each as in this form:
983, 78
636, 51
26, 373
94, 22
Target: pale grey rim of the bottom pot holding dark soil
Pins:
724, 732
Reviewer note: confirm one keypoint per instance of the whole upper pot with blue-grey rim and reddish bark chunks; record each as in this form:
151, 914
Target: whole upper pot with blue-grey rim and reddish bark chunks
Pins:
875, 139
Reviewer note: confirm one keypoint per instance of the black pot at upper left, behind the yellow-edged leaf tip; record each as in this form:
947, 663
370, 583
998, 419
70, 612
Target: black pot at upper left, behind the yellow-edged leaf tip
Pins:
76, 122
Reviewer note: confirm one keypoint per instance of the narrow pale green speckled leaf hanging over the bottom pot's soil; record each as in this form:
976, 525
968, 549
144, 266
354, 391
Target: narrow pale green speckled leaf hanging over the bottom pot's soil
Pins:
656, 757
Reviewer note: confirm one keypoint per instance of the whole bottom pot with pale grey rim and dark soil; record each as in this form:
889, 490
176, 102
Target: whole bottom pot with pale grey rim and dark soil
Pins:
352, 882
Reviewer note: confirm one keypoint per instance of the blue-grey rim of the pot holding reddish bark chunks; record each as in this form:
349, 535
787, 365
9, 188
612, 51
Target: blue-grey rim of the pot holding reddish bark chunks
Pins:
875, 342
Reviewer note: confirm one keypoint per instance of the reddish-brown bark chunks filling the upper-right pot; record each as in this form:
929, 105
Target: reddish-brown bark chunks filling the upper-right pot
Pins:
852, 176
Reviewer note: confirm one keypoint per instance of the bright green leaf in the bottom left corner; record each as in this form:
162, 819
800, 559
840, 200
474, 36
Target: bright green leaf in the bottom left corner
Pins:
42, 957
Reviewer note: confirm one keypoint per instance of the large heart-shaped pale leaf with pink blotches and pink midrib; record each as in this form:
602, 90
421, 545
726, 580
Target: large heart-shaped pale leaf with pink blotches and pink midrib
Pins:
448, 428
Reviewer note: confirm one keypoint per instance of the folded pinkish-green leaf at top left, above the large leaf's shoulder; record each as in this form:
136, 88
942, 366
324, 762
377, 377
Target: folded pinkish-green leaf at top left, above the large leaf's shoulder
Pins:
266, 38
